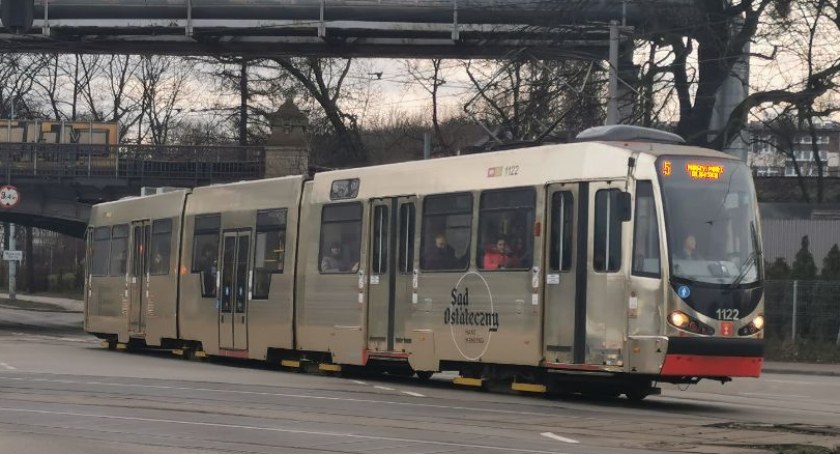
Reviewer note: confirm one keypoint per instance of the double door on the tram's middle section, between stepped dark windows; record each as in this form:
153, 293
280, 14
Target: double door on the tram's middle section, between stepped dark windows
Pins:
234, 289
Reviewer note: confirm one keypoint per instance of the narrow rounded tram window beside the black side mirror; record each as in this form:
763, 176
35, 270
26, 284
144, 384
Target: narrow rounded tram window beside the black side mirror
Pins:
607, 256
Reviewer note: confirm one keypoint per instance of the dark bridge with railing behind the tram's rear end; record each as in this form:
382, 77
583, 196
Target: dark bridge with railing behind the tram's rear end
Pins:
58, 183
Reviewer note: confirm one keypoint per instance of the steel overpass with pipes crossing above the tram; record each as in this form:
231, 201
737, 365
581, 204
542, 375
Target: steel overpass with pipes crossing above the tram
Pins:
338, 28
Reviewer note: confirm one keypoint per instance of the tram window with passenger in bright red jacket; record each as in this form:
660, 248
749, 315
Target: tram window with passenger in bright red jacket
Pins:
505, 226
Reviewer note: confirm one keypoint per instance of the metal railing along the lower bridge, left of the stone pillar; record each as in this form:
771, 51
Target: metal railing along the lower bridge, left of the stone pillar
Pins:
139, 163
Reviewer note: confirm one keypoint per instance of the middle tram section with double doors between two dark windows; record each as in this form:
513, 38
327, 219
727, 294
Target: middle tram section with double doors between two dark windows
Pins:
238, 251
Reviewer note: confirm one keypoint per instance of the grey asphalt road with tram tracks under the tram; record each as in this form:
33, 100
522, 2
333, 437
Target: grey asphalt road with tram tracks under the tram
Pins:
61, 393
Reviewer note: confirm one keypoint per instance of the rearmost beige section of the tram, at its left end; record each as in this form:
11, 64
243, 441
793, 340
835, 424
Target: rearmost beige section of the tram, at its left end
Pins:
133, 275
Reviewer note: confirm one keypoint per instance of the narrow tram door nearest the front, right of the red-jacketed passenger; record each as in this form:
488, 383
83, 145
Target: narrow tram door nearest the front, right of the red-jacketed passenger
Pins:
564, 225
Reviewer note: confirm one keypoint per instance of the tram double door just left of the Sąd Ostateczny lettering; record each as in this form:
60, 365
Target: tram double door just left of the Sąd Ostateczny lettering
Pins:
391, 265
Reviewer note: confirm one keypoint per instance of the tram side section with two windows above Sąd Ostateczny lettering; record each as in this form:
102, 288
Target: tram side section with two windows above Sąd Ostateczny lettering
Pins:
483, 306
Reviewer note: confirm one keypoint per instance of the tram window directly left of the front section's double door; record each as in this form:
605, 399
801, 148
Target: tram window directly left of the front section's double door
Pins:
341, 234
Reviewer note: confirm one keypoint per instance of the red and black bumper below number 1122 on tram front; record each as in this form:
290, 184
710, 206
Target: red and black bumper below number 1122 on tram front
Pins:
713, 357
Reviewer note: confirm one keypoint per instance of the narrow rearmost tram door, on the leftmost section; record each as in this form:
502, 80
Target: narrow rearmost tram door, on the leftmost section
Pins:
139, 277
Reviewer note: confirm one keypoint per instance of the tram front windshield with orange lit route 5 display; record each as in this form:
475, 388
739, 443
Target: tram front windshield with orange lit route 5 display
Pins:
710, 220
